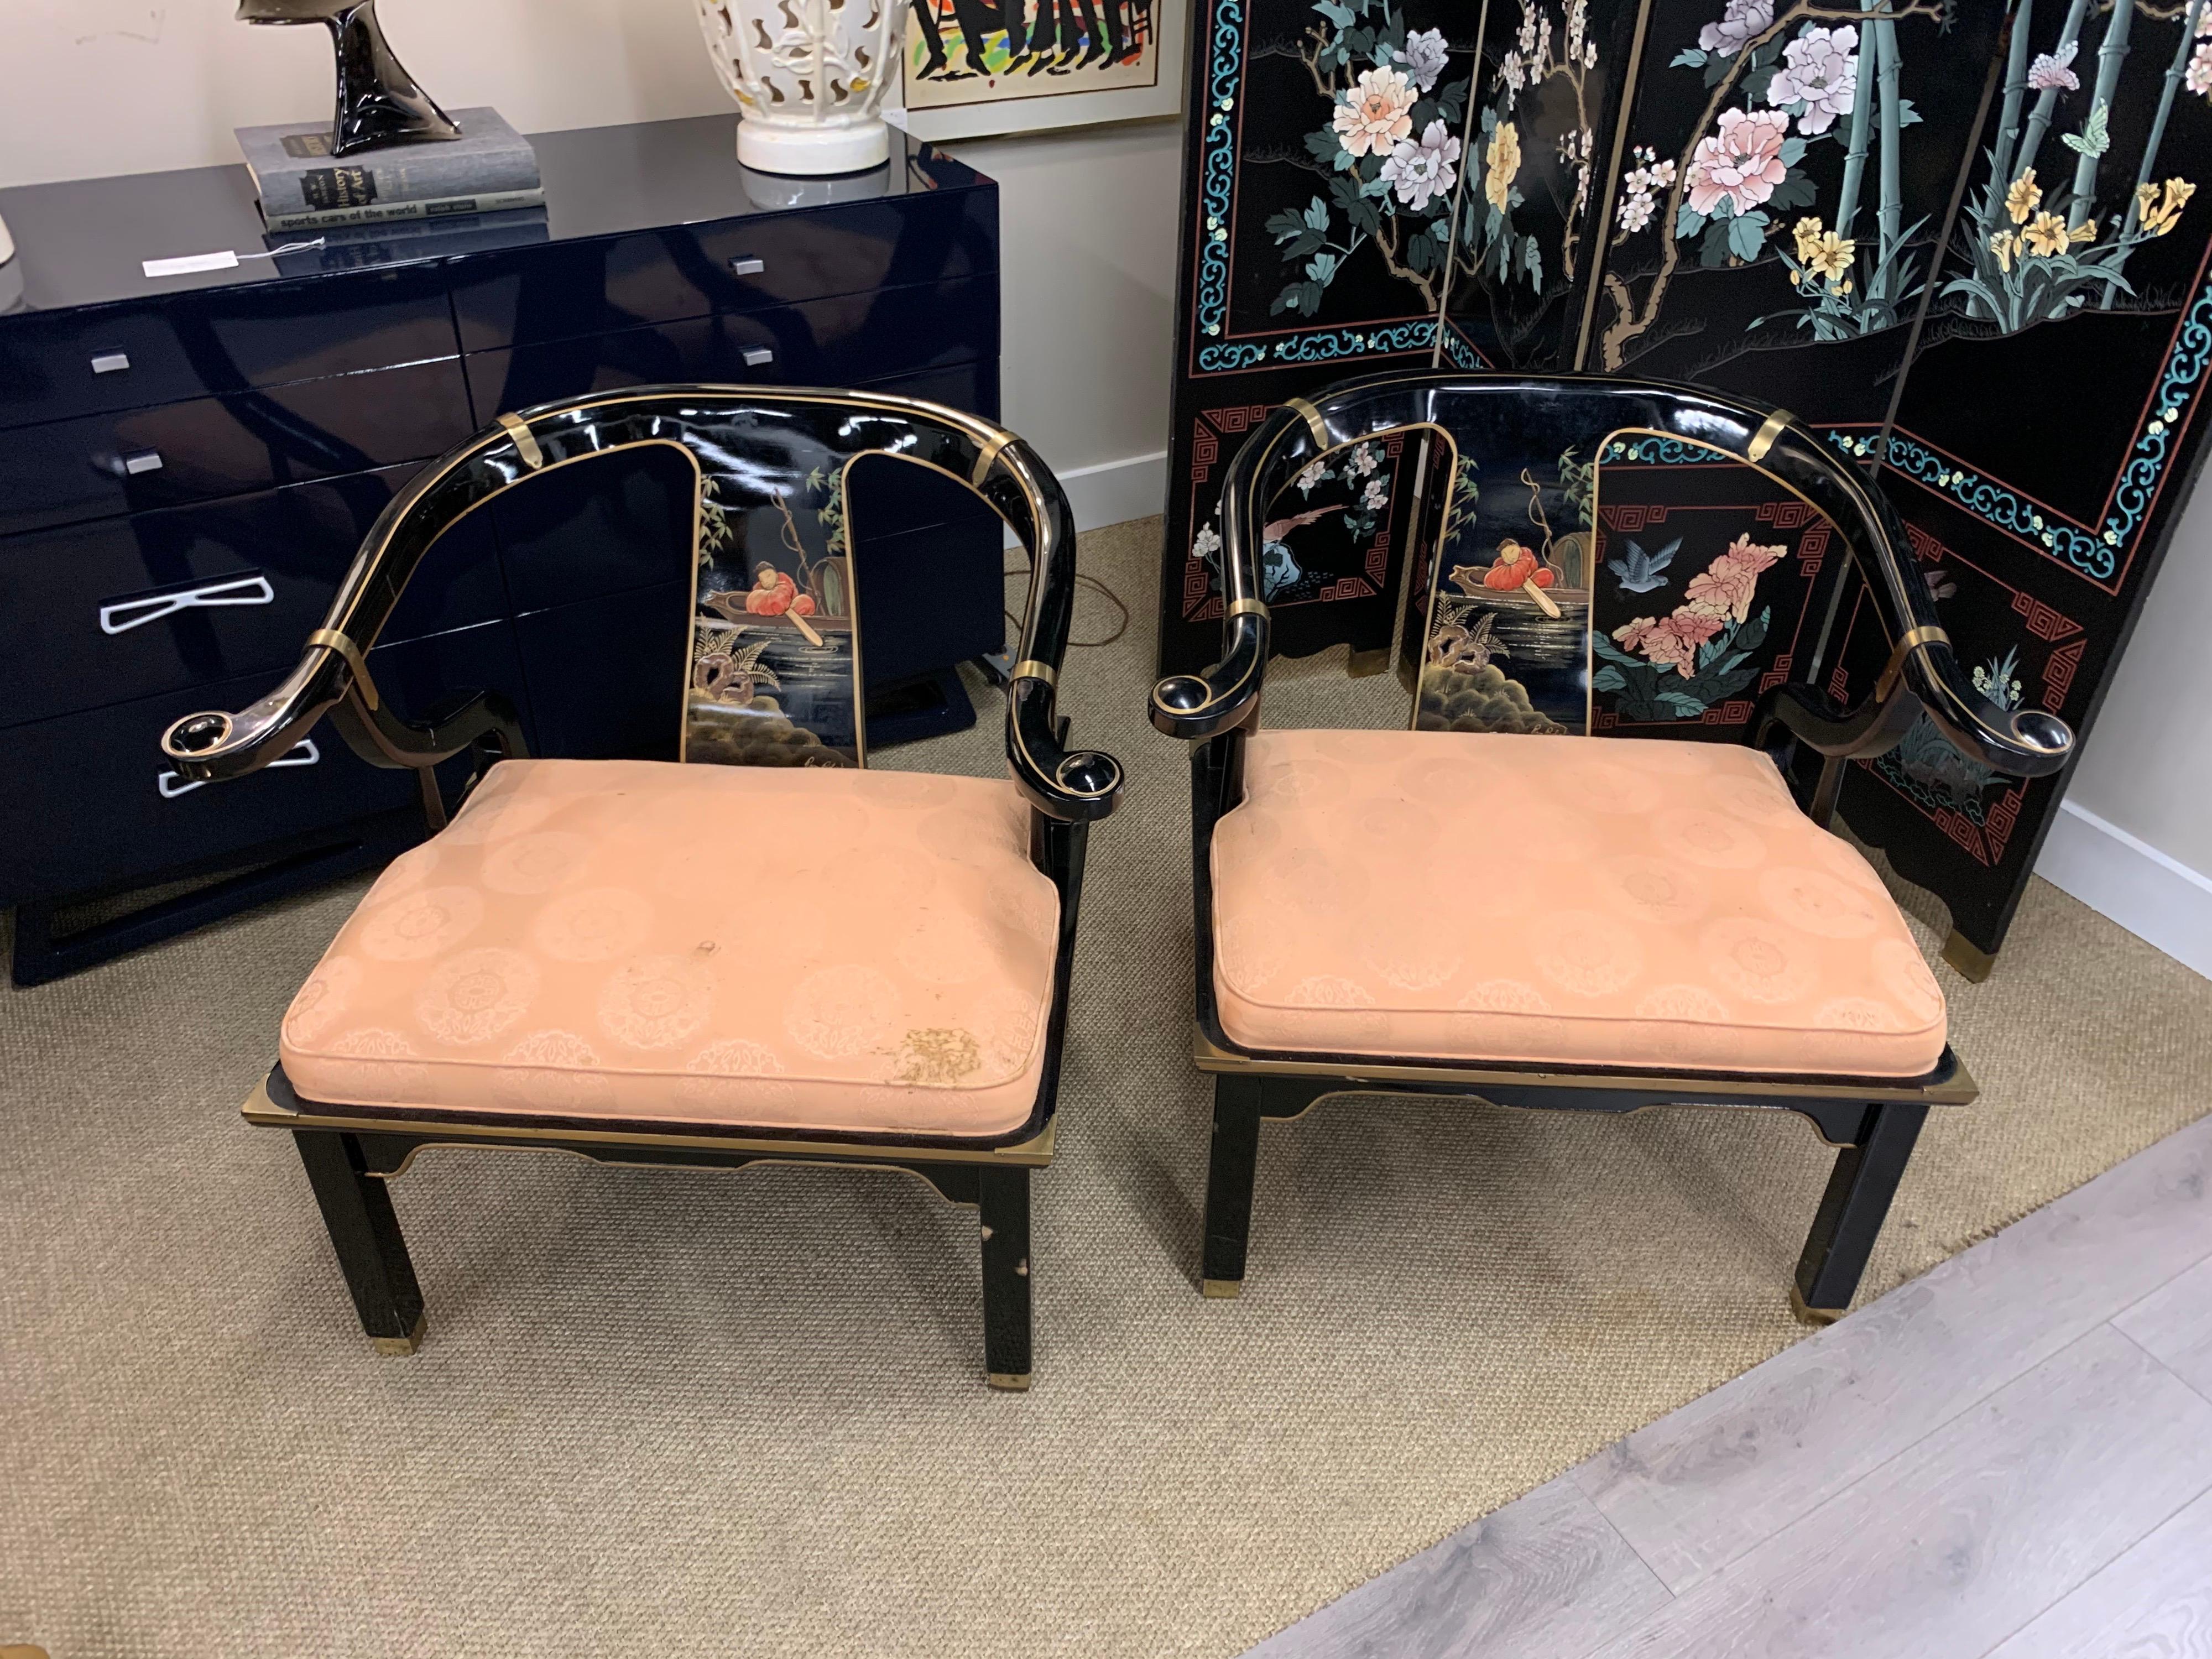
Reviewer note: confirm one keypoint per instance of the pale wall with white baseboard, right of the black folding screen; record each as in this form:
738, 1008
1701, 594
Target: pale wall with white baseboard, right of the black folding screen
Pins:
2136, 831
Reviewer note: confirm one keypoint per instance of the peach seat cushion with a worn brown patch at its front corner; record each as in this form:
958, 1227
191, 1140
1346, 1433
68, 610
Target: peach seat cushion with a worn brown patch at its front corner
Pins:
802, 950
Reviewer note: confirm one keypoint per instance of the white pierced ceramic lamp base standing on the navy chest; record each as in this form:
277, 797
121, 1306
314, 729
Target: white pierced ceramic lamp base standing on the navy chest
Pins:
808, 79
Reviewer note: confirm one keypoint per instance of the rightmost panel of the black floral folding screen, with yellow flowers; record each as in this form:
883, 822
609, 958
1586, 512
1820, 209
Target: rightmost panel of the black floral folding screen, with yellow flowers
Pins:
2049, 426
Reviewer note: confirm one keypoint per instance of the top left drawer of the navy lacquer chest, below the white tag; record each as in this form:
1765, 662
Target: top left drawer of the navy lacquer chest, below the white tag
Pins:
225, 340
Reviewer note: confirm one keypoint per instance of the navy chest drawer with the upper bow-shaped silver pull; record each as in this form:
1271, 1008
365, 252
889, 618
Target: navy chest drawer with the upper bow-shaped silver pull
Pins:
125, 609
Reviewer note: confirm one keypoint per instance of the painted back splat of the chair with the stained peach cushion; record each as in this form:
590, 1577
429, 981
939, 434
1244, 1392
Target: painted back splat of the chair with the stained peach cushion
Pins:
775, 658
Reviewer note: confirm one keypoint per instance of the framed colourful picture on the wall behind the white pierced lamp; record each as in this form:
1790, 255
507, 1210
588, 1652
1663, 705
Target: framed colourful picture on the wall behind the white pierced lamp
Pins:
983, 52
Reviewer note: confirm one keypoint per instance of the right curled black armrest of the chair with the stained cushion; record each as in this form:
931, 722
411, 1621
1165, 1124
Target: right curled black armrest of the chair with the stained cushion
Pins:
1067, 786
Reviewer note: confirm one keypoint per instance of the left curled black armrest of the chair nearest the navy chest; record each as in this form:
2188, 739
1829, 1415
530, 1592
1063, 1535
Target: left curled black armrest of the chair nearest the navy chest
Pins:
331, 680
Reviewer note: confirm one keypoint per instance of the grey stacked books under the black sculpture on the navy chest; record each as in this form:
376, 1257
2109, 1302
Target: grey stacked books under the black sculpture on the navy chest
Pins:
304, 187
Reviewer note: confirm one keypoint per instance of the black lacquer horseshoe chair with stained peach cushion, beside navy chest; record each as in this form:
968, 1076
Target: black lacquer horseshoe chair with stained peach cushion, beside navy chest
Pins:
786, 957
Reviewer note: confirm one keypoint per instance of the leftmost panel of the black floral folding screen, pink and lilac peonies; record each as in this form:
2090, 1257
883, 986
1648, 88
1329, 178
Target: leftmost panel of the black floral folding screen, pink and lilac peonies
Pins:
1322, 176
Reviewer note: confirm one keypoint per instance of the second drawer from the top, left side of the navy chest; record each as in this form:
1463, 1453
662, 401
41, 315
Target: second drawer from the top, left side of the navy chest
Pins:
205, 448
